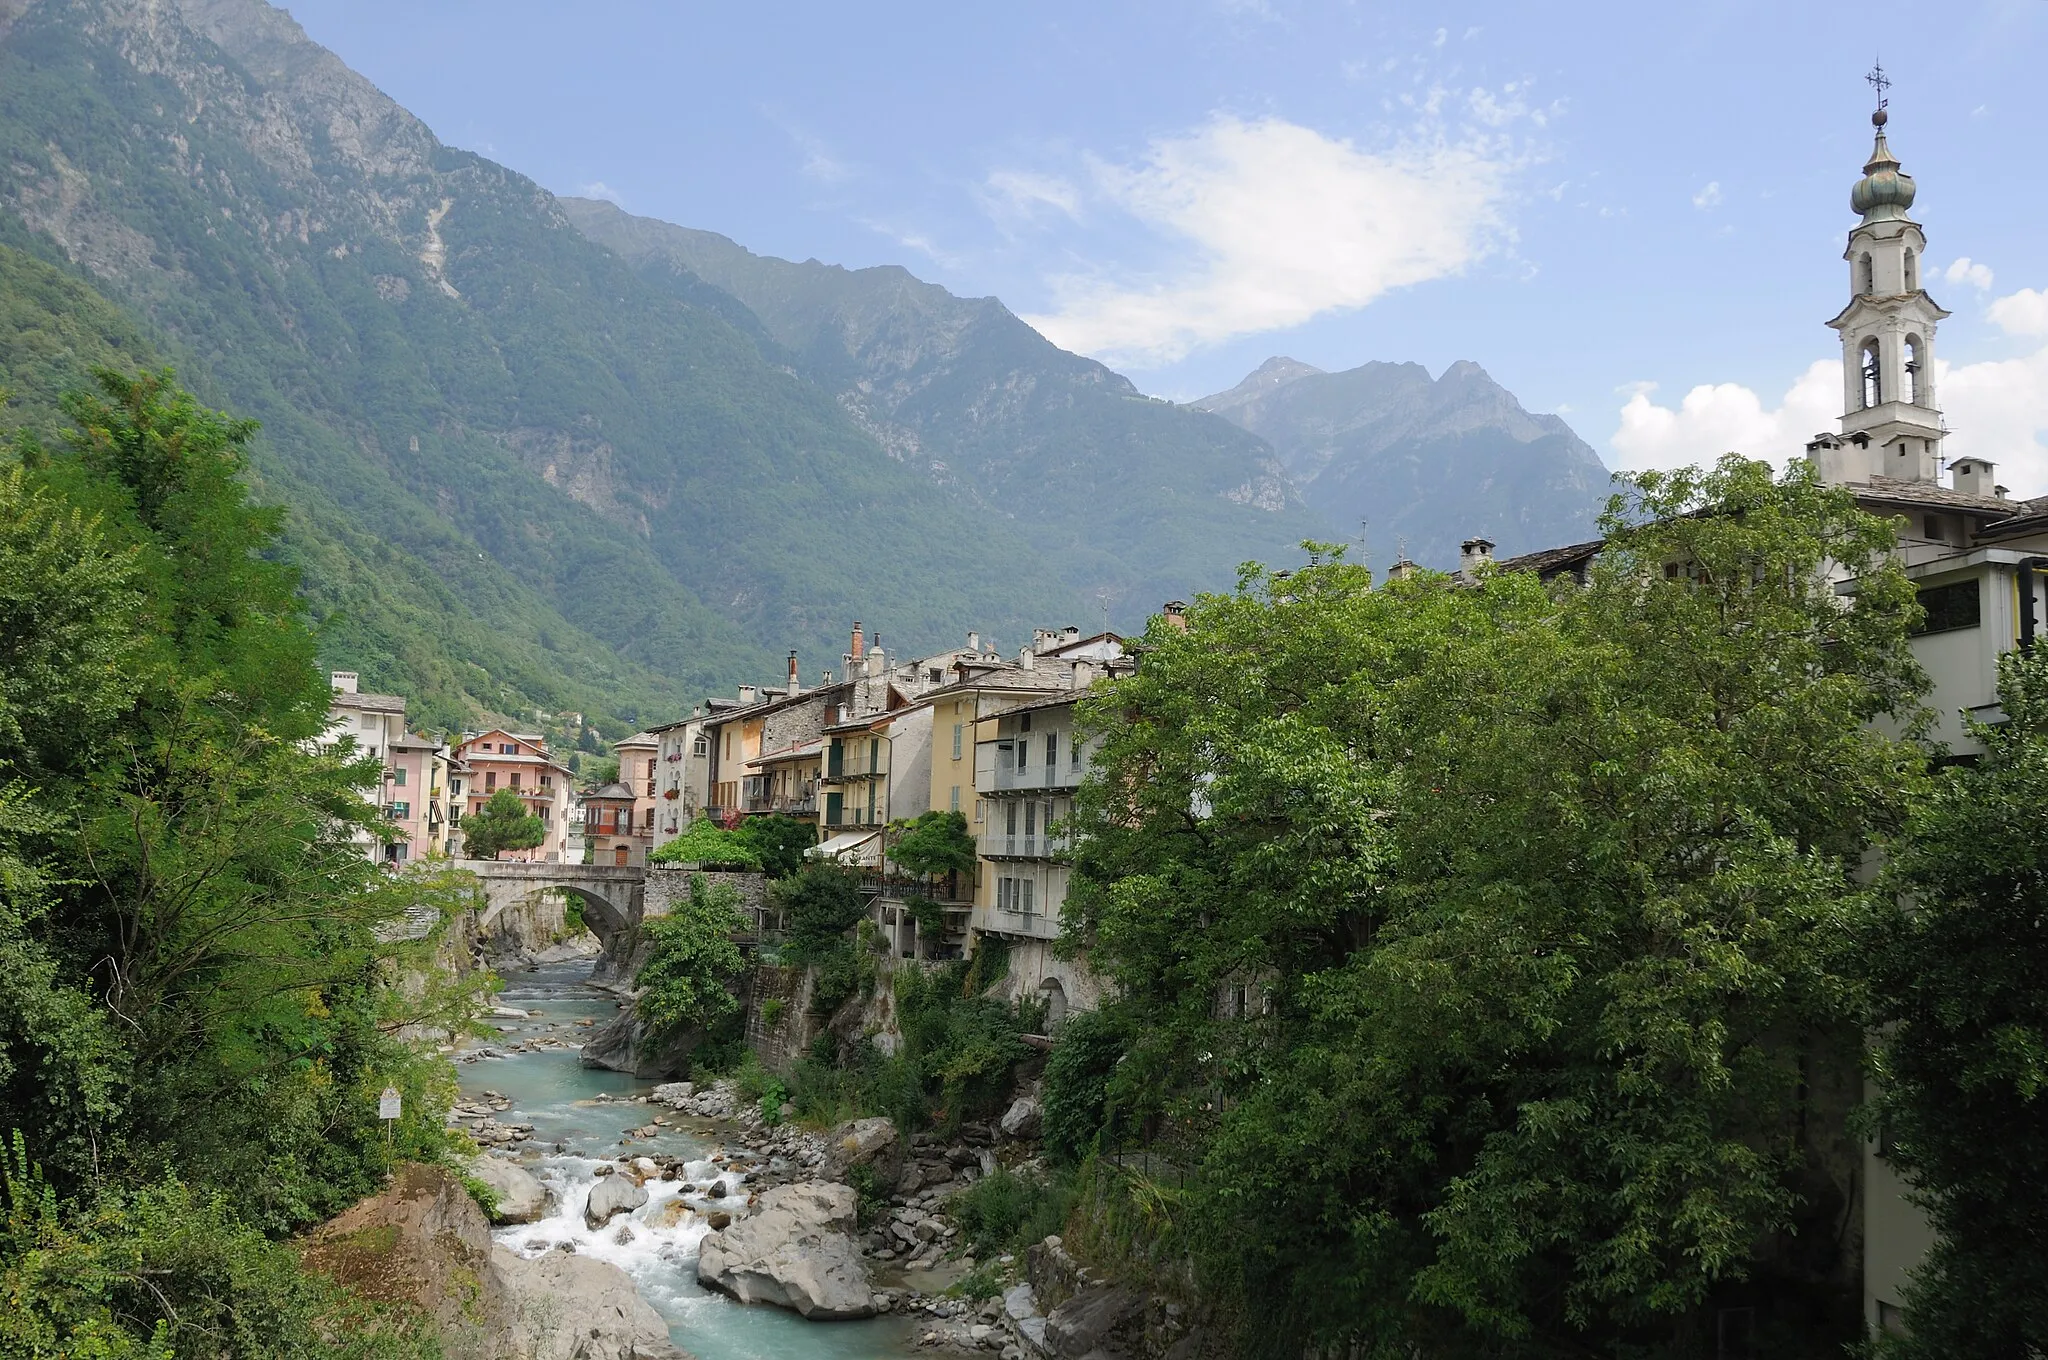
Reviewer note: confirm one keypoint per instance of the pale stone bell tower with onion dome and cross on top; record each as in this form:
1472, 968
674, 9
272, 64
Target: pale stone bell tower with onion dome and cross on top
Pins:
1891, 413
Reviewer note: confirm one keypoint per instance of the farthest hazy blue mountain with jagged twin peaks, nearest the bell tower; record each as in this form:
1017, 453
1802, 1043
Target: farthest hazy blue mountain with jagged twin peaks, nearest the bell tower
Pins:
1424, 464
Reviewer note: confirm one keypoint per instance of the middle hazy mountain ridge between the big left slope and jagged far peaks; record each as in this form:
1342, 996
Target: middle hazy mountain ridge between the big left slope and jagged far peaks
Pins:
1123, 497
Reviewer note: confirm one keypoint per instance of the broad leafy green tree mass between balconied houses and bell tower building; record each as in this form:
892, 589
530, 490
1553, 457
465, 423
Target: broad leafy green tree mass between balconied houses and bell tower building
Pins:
1486, 941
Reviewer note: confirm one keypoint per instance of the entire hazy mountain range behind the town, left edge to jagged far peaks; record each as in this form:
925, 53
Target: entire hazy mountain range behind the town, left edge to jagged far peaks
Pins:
548, 456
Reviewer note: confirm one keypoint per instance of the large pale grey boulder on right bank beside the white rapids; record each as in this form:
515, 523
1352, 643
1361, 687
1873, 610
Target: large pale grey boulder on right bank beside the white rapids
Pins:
796, 1250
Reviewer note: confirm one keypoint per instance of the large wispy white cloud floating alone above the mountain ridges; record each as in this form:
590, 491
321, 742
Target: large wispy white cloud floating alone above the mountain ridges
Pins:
1281, 224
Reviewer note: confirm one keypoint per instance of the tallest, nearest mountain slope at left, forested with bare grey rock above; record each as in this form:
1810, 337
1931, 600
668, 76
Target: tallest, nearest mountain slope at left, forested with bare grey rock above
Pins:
450, 374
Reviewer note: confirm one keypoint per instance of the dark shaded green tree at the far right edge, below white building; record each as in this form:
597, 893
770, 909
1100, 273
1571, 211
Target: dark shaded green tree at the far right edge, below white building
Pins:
1961, 1001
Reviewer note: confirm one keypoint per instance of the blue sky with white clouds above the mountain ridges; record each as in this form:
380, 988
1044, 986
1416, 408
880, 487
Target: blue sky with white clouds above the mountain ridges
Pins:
1629, 214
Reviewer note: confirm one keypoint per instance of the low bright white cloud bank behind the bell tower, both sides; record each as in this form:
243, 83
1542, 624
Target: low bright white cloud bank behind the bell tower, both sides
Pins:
1996, 411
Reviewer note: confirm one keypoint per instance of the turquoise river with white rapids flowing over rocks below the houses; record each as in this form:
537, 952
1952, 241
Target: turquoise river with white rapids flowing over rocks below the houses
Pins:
554, 1093
